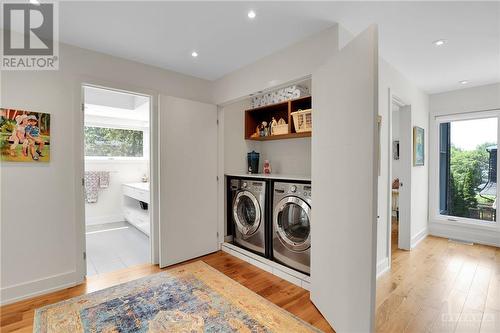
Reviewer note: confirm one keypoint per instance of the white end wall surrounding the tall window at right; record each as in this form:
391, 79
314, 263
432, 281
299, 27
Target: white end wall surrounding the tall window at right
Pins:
467, 100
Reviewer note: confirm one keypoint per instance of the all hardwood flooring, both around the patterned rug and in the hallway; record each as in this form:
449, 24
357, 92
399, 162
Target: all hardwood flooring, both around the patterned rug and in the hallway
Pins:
440, 286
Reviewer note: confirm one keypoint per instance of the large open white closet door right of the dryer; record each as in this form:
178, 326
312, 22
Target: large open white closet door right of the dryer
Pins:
344, 182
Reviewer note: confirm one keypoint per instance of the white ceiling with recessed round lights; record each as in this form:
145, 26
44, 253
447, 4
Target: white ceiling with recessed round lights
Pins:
165, 33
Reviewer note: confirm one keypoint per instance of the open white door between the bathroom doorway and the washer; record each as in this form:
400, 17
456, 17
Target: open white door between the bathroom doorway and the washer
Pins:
188, 179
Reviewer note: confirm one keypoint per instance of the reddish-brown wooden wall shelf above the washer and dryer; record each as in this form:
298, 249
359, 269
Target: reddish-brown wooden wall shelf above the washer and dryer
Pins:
253, 117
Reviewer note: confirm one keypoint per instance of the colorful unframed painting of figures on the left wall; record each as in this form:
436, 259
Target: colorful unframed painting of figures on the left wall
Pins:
24, 136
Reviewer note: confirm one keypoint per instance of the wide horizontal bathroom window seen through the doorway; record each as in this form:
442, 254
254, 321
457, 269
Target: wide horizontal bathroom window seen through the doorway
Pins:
113, 142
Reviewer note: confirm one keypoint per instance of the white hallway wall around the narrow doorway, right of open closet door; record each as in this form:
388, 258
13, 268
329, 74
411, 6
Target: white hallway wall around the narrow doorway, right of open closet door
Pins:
390, 78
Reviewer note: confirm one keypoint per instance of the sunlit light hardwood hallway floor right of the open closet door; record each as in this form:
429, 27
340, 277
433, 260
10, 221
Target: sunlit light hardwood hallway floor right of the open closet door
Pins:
440, 286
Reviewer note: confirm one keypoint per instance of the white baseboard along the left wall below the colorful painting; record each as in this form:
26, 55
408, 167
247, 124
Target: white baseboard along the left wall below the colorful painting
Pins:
21, 291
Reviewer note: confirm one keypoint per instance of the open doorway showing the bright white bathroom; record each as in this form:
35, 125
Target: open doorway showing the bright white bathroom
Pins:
117, 168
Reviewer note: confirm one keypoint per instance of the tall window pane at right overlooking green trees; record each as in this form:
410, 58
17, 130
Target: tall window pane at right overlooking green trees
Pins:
468, 169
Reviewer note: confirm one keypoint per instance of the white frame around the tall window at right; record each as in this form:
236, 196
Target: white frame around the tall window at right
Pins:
434, 185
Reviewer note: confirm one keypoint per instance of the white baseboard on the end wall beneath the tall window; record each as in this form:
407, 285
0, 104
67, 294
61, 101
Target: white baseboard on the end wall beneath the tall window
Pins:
465, 233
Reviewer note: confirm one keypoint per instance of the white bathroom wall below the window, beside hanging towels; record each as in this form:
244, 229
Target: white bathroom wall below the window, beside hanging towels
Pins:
109, 205
